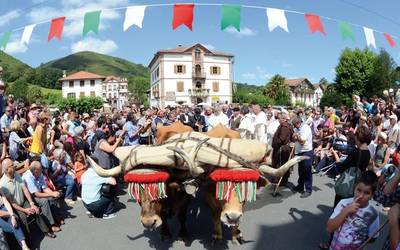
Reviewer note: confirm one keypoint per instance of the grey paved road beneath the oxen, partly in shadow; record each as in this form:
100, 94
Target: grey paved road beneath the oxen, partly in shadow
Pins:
285, 222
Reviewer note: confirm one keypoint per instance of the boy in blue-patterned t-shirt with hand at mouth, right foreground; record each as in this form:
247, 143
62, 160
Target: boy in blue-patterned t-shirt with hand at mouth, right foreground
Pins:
354, 219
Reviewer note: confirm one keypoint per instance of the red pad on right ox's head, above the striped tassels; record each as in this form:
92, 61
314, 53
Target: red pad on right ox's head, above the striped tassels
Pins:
234, 175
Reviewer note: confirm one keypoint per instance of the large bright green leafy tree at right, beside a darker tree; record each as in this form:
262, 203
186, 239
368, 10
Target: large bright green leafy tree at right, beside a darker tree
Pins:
354, 71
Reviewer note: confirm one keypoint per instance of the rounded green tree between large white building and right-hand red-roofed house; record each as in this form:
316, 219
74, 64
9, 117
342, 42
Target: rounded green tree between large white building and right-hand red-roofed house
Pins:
277, 90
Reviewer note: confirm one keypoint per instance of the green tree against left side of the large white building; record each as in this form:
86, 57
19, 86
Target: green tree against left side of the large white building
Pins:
138, 86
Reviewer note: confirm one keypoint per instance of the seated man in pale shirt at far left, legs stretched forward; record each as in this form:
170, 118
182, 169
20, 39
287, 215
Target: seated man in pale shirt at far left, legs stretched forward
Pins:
14, 188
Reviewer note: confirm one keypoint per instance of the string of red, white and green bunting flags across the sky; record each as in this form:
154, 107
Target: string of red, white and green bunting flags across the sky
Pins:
183, 14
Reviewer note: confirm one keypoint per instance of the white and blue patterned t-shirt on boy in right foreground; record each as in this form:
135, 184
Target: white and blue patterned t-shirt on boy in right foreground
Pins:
356, 228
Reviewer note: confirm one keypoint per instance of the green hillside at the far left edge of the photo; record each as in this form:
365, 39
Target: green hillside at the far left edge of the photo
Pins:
12, 67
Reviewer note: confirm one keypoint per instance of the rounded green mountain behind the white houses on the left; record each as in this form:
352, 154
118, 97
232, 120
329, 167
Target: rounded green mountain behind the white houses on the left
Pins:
99, 64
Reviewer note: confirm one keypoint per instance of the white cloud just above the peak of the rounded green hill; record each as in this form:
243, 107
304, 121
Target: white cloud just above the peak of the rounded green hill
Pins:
95, 45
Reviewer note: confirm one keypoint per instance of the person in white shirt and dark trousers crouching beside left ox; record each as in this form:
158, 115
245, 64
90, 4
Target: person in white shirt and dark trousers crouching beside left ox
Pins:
97, 204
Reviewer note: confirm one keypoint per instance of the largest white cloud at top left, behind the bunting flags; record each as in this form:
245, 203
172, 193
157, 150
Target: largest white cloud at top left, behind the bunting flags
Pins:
74, 11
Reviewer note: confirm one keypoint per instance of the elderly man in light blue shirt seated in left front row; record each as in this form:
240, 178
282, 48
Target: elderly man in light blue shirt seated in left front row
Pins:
43, 195
